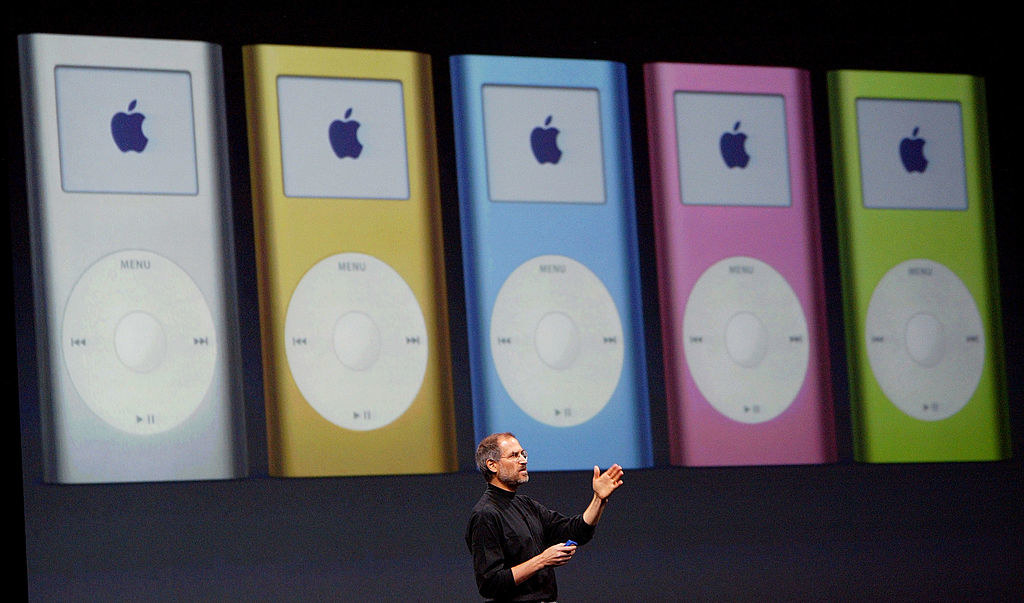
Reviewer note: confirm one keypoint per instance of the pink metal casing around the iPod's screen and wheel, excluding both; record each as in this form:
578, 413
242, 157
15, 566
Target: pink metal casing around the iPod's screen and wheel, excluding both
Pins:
691, 239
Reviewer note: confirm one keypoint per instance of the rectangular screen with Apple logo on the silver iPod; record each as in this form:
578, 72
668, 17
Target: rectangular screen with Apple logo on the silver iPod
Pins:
127, 132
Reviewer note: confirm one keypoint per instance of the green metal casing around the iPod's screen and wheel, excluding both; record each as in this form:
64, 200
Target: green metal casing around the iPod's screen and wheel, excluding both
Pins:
874, 241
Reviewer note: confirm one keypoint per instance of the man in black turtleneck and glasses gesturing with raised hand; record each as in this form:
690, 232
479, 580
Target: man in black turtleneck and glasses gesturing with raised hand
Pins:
517, 542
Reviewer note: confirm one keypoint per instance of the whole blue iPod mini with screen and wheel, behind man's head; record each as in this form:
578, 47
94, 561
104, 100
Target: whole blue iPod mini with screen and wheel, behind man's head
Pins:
550, 260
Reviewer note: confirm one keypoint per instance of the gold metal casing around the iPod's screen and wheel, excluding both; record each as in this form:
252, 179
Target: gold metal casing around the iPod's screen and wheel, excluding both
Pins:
294, 234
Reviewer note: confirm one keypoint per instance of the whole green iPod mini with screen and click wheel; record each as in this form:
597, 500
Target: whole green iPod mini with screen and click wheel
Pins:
918, 261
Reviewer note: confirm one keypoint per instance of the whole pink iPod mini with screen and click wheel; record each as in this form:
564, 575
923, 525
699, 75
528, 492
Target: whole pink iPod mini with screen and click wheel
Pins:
740, 265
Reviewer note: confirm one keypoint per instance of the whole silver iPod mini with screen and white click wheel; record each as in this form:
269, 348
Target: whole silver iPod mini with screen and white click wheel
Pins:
130, 203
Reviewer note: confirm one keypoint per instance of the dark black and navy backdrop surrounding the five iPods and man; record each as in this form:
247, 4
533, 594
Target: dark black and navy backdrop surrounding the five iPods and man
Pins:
843, 531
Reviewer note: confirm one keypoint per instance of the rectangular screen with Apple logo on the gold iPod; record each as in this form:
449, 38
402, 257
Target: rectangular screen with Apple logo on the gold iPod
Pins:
344, 139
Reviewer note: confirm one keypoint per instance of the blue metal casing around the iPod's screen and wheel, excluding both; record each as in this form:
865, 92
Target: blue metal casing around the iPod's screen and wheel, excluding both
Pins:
499, 237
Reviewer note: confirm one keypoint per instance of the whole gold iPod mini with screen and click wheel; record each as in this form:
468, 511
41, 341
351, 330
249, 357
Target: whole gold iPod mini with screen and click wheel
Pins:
351, 265
